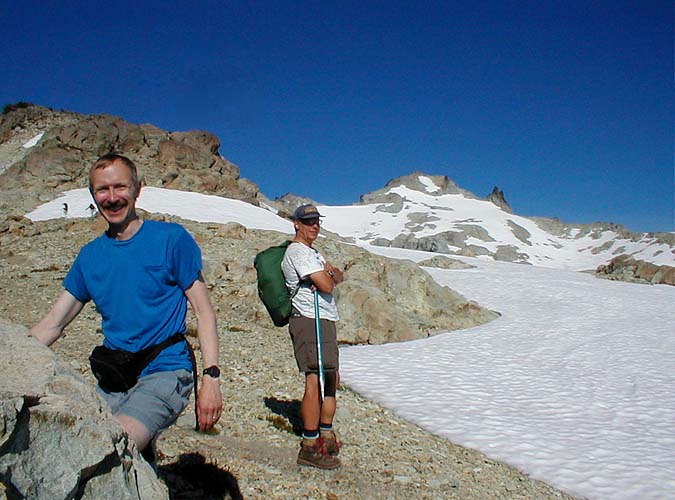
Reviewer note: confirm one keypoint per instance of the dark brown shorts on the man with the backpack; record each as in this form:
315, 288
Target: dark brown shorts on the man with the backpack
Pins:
303, 335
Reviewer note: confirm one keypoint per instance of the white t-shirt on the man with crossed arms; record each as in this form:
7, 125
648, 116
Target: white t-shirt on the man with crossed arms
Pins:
299, 262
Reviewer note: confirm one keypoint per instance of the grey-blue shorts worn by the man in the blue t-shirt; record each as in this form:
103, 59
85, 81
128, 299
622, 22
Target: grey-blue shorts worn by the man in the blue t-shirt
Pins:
156, 400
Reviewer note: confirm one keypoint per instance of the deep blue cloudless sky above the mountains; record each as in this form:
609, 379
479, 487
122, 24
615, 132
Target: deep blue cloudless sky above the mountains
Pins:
567, 106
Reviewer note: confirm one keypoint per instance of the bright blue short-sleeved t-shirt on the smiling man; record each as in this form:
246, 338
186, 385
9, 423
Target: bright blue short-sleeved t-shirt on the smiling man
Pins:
138, 287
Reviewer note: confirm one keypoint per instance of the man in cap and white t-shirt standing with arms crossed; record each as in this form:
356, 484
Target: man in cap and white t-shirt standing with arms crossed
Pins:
306, 268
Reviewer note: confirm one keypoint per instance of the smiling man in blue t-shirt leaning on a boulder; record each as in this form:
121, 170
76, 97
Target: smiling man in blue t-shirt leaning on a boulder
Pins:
141, 275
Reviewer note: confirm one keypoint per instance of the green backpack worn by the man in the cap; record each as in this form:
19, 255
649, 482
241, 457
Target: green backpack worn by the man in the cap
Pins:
271, 283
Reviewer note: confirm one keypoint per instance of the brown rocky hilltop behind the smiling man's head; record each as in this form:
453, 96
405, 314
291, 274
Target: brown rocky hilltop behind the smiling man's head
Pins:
69, 143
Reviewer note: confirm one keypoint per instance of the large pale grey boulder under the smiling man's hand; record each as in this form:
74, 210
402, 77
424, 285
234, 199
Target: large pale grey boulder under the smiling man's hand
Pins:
58, 439
